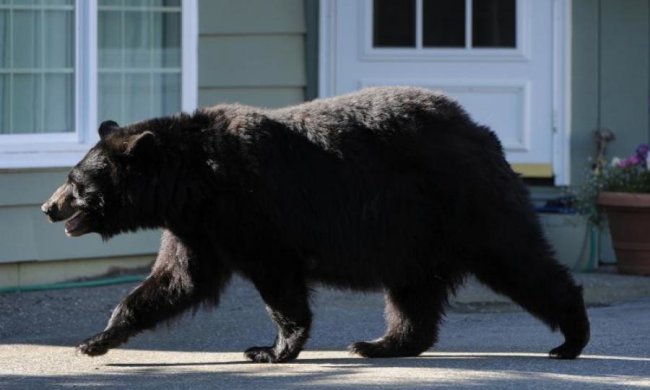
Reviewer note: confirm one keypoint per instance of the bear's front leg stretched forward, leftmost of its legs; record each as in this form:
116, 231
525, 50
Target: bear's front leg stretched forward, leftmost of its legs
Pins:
179, 280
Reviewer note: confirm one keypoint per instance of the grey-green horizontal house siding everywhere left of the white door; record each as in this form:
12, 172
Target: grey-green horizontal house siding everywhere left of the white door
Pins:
251, 52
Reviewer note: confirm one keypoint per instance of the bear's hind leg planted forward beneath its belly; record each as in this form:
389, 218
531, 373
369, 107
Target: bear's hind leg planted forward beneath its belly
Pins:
413, 314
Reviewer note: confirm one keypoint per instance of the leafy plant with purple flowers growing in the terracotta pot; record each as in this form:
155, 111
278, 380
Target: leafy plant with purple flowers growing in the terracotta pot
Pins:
619, 175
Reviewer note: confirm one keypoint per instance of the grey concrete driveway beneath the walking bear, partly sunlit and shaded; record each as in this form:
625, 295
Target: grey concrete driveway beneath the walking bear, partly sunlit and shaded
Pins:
483, 343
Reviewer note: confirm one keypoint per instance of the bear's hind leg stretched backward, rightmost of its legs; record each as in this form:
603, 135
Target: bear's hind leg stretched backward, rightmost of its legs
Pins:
536, 281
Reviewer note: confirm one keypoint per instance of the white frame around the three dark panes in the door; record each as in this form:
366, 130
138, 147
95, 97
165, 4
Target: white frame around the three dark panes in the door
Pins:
520, 52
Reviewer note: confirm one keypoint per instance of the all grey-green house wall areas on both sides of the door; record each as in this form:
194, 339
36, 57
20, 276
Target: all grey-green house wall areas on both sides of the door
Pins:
254, 52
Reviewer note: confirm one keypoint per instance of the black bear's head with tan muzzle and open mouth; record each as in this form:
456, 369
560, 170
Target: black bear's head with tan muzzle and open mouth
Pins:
95, 196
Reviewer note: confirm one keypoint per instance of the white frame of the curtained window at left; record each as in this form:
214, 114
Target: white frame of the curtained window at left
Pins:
56, 150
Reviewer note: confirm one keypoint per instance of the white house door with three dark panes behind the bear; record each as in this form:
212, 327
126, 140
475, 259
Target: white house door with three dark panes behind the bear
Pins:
504, 60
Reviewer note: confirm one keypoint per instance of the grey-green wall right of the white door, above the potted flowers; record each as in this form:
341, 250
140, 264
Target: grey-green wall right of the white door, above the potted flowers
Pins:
610, 77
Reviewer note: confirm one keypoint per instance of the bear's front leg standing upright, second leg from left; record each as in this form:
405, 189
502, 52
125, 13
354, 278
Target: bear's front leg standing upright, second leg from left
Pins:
287, 301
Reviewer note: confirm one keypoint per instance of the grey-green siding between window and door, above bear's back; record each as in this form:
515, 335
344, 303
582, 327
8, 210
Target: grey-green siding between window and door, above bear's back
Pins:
252, 52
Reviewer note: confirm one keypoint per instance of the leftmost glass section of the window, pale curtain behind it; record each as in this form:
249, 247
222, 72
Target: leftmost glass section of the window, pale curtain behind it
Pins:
37, 67
